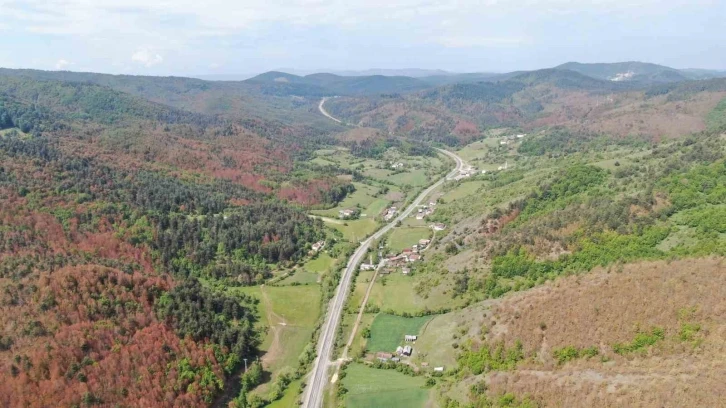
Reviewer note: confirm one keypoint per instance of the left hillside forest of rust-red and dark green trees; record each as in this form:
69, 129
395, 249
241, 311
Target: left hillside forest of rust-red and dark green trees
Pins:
113, 210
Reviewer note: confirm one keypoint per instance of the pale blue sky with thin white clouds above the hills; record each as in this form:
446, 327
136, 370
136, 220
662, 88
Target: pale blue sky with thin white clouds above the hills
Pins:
221, 37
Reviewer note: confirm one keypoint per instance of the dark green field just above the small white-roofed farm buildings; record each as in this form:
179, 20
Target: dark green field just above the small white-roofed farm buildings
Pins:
387, 331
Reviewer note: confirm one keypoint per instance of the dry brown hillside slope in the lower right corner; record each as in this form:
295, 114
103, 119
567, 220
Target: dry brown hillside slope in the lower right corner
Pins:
607, 307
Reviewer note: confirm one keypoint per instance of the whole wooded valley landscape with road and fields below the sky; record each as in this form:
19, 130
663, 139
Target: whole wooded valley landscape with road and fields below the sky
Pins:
531, 239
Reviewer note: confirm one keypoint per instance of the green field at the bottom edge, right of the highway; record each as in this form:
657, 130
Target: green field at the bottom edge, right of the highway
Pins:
372, 388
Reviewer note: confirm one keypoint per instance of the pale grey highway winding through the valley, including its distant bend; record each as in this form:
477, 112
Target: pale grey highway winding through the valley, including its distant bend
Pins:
313, 395
